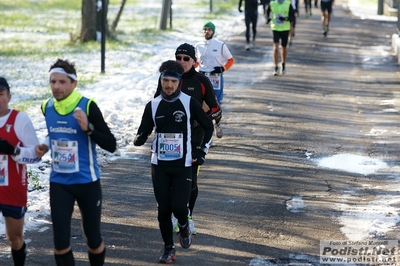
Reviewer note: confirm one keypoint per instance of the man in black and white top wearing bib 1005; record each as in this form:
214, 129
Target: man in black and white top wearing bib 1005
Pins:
172, 115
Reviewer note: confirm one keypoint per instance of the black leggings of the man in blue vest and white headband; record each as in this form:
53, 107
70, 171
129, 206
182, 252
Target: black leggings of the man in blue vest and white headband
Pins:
62, 200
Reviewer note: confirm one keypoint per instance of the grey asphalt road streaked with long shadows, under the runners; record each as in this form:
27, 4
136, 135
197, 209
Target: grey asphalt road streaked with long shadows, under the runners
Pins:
275, 130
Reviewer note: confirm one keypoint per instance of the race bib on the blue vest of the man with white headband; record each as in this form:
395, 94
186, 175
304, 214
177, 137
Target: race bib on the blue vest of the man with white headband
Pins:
65, 156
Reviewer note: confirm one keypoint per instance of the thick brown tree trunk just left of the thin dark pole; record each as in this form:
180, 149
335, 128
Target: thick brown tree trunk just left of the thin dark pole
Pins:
89, 16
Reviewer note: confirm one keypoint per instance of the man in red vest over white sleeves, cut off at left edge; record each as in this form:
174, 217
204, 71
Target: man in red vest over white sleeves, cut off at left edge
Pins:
17, 148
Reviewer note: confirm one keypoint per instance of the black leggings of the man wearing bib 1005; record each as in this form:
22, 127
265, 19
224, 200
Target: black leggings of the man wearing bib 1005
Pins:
172, 187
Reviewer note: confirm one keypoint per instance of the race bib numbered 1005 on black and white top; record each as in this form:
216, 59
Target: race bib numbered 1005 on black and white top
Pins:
170, 146
